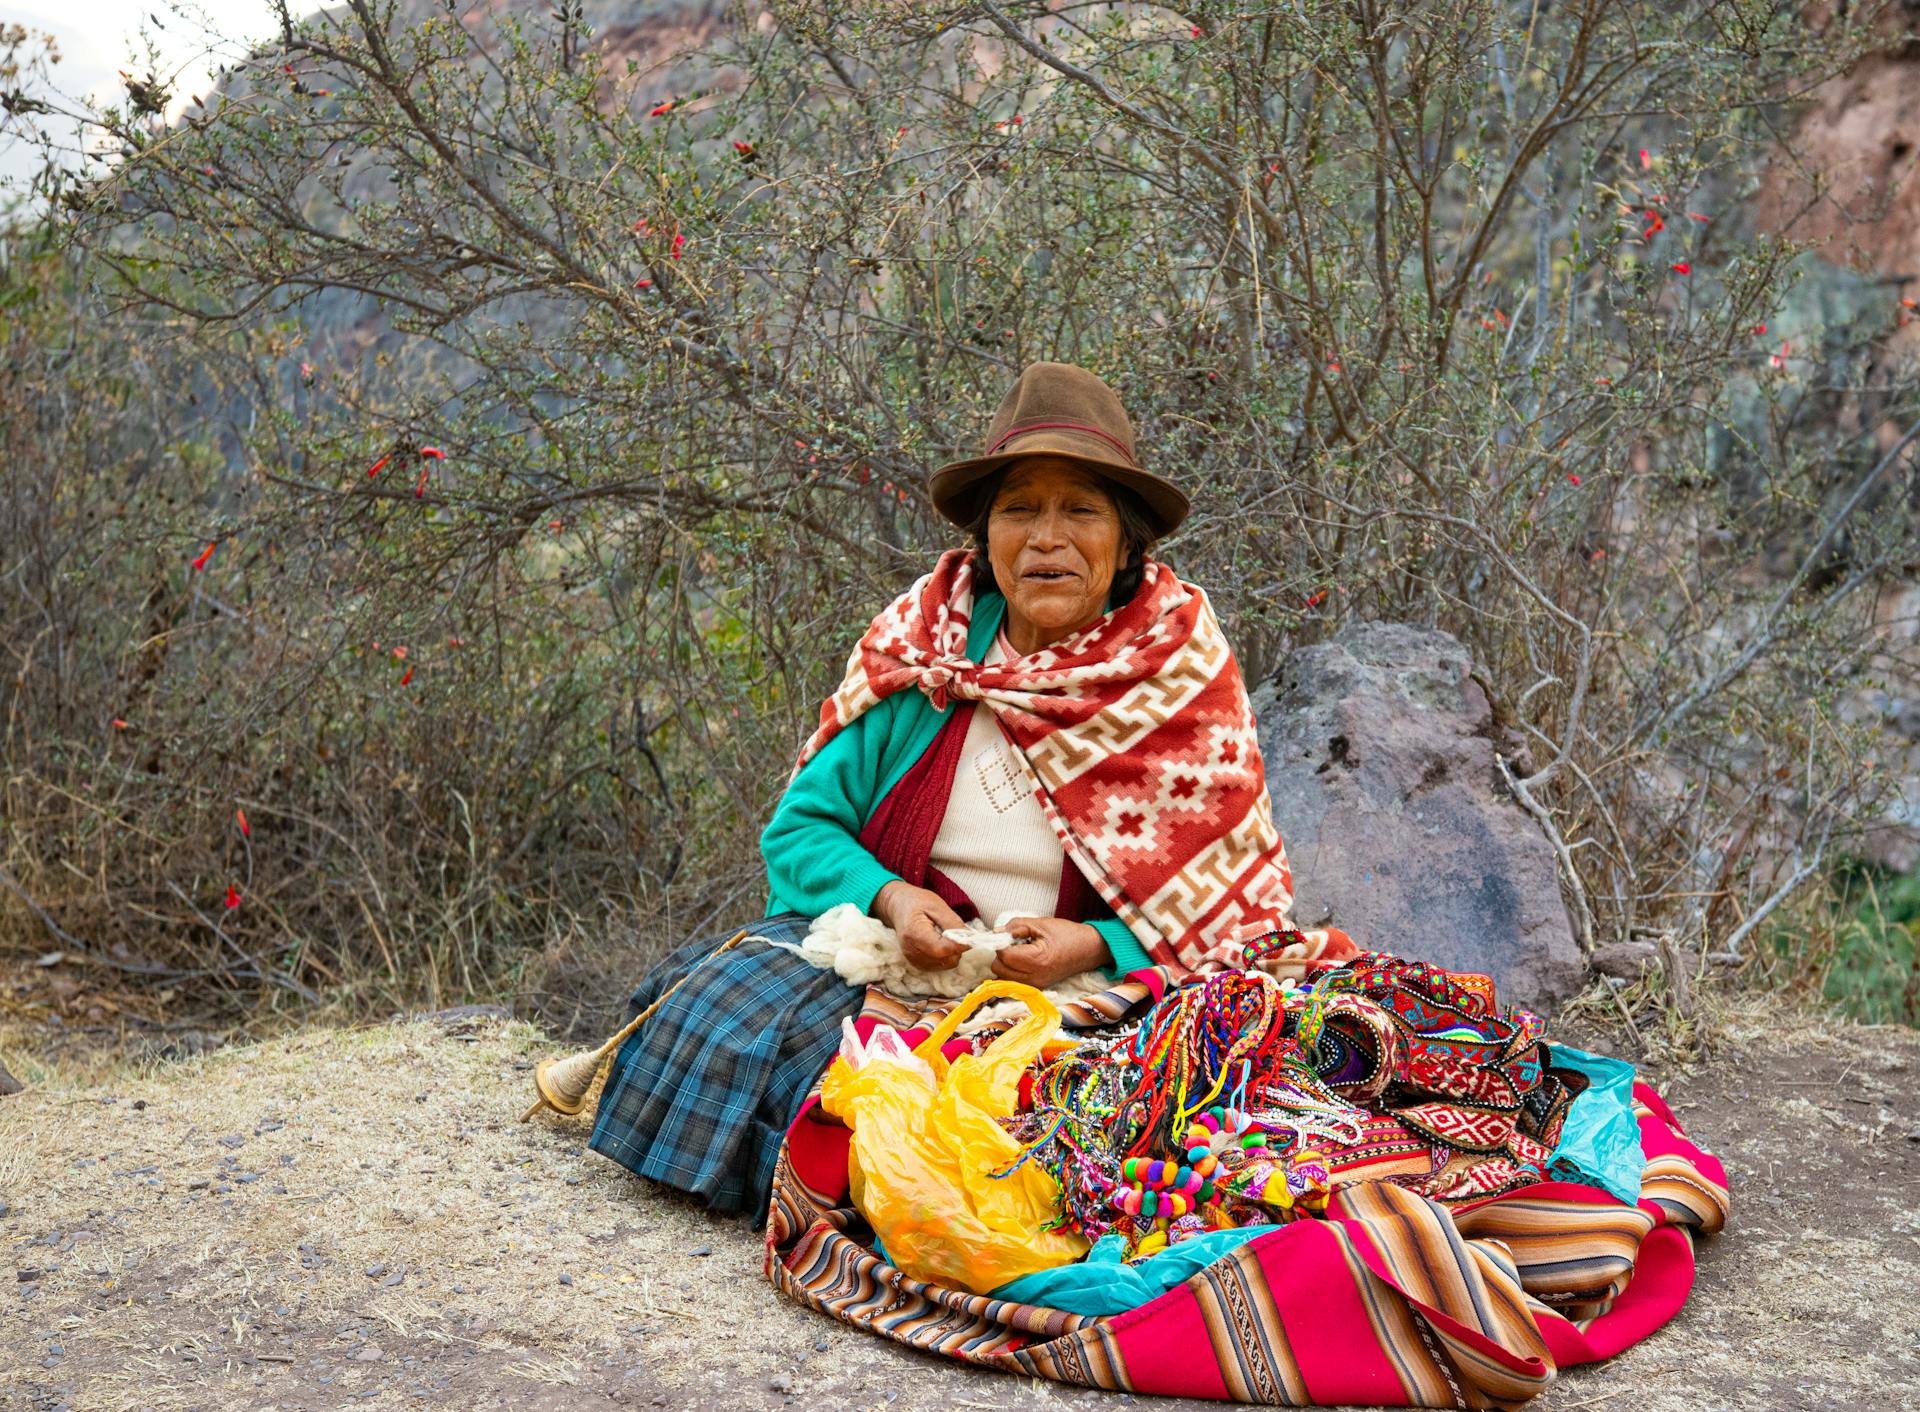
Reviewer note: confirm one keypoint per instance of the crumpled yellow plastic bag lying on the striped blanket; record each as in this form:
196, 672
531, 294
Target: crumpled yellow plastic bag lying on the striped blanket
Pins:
924, 1156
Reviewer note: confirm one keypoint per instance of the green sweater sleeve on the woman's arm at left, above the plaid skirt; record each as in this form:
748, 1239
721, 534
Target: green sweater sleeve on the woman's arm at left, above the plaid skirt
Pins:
813, 842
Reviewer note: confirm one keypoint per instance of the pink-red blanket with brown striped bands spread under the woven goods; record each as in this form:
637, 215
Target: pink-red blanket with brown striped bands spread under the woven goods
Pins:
1393, 1300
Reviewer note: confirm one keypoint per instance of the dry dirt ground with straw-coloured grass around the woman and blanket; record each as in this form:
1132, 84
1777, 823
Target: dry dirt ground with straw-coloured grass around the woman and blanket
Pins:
358, 1219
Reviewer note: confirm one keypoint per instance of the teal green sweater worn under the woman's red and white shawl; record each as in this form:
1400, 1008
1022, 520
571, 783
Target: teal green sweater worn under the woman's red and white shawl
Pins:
813, 842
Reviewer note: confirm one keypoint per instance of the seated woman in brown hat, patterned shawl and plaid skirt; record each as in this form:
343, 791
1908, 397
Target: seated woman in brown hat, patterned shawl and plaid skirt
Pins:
1049, 725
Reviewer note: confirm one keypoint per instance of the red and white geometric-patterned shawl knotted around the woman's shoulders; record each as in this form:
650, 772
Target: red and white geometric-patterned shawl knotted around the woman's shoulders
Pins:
1138, 739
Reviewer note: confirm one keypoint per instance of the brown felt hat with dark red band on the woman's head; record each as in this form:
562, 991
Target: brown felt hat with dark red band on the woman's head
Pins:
1057, 410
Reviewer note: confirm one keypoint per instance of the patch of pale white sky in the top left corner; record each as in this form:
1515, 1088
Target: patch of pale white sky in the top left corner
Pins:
97, 39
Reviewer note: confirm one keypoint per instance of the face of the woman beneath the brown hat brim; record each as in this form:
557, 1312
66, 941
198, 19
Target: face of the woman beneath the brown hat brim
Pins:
1053, 541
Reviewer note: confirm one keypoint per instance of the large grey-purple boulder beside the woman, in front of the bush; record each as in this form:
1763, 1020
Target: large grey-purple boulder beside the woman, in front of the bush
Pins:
1380, 754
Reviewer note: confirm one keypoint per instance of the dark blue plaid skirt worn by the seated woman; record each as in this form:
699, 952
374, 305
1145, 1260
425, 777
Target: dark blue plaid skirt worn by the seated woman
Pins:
702, 1096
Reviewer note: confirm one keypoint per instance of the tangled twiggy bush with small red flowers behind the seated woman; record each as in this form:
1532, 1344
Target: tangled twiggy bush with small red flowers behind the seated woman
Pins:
1443, 314
